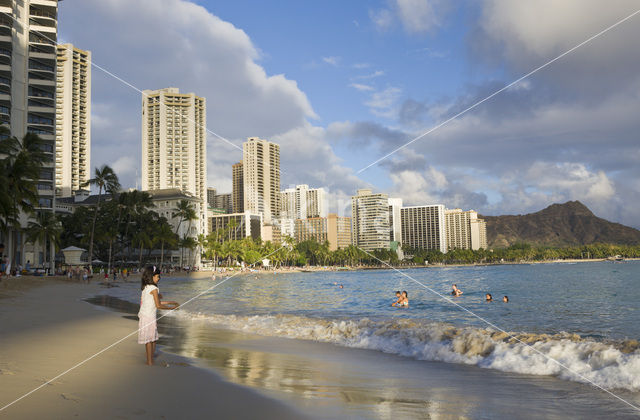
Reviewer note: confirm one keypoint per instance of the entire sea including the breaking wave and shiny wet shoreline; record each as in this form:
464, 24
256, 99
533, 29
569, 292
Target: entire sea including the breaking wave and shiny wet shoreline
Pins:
566, 330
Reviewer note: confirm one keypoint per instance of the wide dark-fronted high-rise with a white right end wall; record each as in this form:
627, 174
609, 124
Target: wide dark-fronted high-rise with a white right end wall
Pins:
423, 227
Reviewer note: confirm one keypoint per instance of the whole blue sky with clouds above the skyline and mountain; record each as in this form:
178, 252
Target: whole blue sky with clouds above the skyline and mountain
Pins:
340, 85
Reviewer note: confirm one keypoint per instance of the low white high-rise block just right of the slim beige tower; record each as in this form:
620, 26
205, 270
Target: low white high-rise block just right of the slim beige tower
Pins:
302, 202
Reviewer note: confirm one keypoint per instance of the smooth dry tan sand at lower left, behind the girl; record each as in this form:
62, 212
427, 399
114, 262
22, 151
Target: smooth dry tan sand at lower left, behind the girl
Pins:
47, 328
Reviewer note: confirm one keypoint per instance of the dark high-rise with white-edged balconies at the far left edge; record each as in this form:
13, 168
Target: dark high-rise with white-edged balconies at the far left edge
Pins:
28, 36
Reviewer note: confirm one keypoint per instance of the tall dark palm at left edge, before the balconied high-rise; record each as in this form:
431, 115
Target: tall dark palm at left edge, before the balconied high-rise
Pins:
20, 169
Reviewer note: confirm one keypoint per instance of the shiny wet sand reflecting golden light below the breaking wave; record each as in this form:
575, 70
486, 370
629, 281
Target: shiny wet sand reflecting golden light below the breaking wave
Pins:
336, 382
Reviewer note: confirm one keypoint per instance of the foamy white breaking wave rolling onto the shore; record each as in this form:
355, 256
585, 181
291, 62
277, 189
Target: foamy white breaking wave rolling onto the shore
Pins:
611, 365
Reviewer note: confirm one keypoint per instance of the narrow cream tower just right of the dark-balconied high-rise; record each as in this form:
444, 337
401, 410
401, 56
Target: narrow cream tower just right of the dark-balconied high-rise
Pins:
73, 119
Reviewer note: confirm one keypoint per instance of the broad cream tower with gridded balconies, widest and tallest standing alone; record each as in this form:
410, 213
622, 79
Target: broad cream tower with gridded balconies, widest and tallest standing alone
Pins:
174, 144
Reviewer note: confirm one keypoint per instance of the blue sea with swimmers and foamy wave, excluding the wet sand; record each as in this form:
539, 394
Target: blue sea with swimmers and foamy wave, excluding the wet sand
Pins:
577, 322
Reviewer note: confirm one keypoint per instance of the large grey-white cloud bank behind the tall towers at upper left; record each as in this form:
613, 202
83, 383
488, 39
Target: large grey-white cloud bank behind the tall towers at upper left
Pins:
180, 44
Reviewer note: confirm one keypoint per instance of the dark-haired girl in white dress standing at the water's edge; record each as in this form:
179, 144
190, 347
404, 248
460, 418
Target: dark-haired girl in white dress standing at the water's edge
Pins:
149, 303
